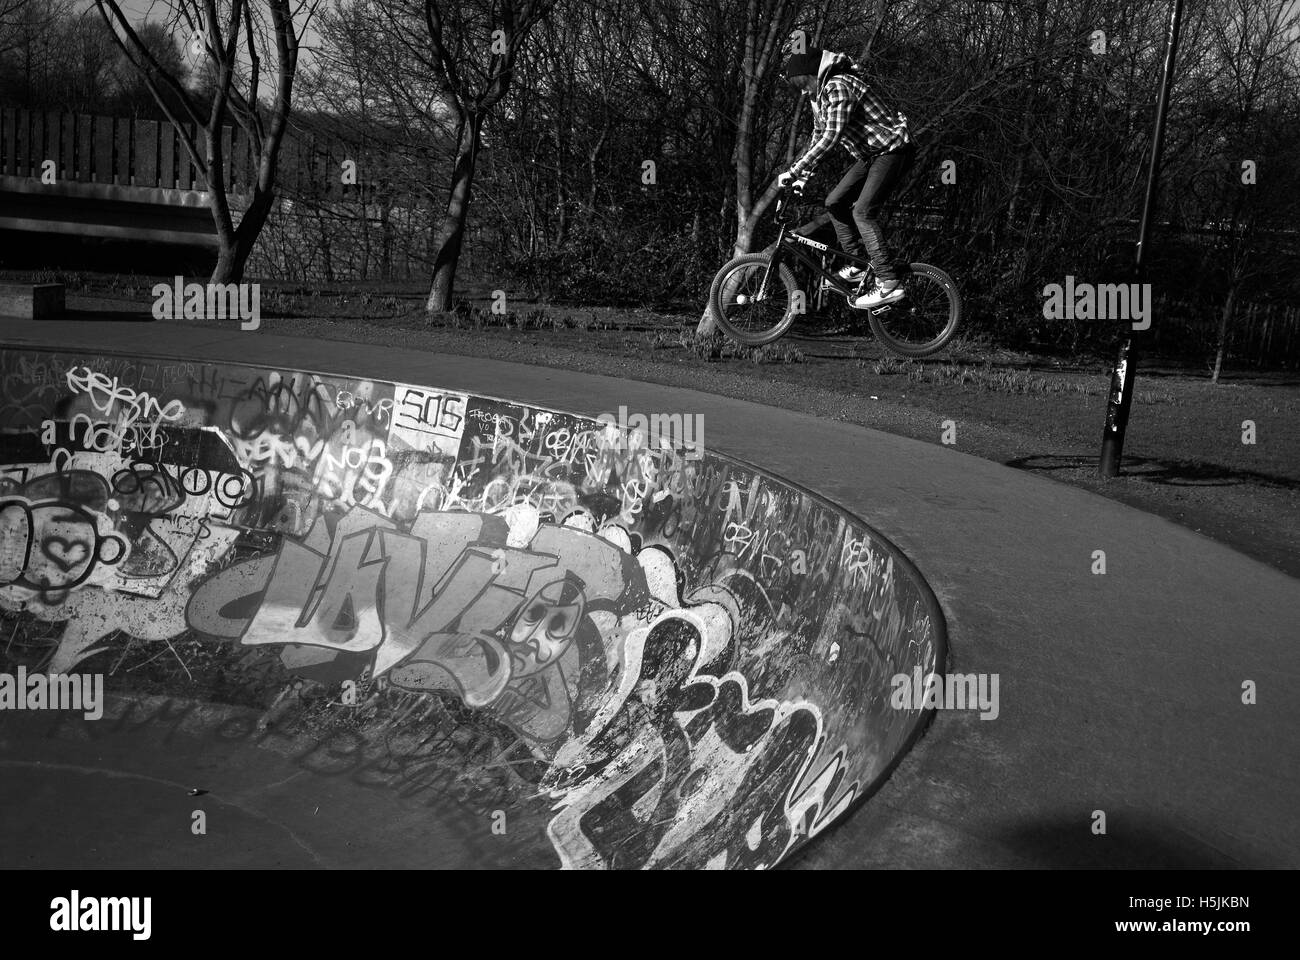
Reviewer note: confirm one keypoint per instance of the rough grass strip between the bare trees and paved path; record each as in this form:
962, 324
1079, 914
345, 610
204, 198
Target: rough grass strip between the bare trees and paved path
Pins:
1185, 457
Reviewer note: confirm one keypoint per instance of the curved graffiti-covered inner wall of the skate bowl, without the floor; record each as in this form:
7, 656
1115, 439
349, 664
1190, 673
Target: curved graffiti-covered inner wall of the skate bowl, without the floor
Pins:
694, 656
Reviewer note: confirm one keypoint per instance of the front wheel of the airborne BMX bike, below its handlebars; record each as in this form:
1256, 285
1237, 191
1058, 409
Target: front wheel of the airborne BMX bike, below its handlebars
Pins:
739, 309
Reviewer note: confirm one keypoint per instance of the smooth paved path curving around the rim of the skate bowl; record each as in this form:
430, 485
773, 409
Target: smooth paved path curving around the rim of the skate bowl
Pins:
1119, 693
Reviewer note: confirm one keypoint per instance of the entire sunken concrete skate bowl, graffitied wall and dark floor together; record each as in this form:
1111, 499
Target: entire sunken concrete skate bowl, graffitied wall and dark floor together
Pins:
344, 622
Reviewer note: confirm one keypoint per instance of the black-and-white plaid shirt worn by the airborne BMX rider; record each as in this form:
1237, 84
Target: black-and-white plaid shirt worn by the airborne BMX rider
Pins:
846, 111
